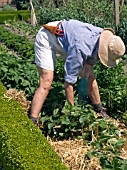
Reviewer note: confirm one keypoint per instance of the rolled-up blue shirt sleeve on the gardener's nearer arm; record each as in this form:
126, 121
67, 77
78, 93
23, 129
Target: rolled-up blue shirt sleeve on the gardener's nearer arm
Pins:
73, 65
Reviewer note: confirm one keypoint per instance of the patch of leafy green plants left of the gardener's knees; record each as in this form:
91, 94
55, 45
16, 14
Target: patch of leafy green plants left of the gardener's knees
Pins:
17, 73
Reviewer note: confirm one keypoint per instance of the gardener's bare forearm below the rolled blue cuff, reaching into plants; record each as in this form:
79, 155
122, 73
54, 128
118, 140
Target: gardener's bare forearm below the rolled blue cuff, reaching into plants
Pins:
69, 92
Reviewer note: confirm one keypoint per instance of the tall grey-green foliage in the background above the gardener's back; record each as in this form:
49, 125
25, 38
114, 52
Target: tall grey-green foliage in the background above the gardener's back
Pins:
99, 13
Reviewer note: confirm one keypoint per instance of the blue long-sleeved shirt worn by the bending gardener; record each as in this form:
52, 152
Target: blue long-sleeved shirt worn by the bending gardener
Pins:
80, 41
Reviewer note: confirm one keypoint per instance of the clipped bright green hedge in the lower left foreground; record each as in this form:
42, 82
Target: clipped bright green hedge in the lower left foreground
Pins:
22, 145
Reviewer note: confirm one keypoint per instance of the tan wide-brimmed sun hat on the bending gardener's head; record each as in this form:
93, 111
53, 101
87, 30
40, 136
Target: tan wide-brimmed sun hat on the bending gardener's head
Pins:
111, 48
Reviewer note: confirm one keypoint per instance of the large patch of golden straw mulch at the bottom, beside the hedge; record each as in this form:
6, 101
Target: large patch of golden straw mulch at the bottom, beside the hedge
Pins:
72, 153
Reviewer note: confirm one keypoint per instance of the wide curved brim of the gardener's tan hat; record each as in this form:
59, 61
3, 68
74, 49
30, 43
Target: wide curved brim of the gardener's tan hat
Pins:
103, 51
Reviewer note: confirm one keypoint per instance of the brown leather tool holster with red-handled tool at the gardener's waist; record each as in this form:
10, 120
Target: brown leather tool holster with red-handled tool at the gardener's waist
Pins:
54, 29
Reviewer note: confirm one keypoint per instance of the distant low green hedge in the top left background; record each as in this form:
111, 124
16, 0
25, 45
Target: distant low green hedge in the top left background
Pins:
14, 15
